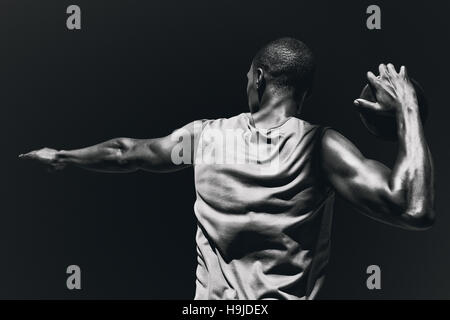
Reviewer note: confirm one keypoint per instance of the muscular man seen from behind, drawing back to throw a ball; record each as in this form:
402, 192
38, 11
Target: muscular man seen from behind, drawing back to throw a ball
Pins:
264, 231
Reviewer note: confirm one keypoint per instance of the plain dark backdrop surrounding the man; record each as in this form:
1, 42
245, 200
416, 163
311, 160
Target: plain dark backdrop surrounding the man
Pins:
143, 68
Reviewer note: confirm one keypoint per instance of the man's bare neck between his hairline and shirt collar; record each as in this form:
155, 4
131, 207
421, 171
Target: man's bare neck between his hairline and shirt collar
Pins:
274, 111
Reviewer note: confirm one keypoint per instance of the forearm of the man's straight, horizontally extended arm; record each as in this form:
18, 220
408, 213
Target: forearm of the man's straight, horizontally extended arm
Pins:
108, 156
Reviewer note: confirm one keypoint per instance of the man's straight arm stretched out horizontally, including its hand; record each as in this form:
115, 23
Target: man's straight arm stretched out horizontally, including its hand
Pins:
170, 153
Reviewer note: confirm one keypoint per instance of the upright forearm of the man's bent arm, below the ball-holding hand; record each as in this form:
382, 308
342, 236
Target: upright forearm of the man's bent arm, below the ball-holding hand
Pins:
413, 173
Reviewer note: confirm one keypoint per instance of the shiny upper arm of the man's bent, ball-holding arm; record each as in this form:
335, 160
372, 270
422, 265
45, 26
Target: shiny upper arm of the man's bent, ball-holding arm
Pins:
363, 182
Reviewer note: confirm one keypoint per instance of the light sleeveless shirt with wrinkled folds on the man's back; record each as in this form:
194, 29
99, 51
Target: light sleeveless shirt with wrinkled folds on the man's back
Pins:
263, 221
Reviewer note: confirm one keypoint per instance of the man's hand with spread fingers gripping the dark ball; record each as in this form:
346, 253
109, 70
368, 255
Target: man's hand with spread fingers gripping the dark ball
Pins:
392, 91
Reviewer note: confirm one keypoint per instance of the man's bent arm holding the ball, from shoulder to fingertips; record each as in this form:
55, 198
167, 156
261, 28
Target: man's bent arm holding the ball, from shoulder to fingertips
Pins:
403, 196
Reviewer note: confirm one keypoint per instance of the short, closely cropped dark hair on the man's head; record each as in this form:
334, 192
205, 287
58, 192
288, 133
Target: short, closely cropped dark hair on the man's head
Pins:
288, 63
